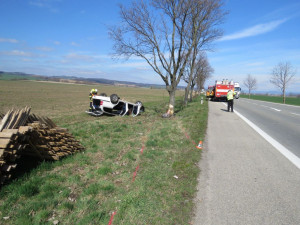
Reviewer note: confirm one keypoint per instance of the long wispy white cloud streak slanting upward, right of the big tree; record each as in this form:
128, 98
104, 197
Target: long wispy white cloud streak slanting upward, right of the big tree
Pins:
254, 31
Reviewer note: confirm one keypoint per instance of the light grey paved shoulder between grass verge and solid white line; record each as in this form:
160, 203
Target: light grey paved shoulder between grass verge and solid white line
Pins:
244, 179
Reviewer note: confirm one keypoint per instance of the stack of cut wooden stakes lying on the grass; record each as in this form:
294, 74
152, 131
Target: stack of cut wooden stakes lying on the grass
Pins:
22, 133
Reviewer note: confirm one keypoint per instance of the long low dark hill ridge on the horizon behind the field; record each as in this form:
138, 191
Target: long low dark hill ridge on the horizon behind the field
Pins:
72, 79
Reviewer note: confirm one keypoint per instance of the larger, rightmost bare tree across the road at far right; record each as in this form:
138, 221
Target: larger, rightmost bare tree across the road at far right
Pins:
282, 75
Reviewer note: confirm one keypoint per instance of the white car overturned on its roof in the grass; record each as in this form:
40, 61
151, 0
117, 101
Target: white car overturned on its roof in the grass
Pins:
113, 105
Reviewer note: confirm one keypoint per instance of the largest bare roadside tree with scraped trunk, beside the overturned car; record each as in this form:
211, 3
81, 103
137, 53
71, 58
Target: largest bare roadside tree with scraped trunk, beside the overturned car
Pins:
164, 33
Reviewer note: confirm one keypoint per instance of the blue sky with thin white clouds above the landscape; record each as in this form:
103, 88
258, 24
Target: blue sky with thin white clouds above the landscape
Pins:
70, 37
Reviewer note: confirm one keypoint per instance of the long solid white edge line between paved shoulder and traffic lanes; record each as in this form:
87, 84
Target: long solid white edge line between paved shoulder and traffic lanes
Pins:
283, 150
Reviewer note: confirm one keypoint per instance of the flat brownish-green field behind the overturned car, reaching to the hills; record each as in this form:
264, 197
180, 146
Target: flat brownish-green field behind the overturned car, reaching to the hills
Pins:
66, 103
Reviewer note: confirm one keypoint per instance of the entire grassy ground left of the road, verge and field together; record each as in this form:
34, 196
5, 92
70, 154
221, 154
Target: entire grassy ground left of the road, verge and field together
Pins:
88, 187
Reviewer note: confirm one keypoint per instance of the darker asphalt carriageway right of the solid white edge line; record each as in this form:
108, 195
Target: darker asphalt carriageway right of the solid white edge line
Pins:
281, 122
